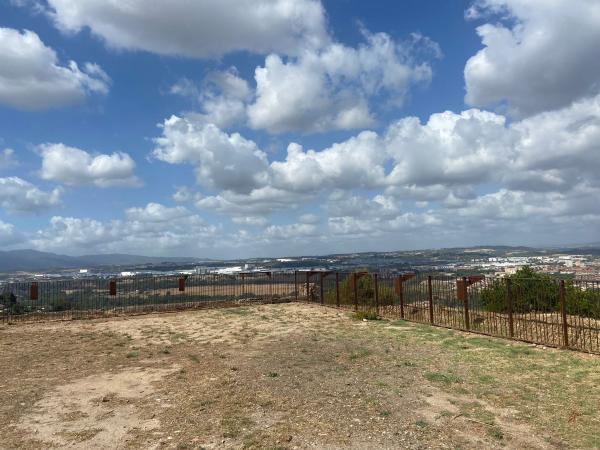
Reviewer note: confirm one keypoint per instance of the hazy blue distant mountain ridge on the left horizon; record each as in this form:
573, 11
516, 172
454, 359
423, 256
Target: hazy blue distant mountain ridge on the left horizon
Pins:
33, 261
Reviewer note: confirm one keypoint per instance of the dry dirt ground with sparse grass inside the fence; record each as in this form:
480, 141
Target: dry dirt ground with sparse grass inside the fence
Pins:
287, 376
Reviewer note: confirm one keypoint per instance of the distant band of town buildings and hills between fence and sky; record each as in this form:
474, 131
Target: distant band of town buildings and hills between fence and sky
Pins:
580, 263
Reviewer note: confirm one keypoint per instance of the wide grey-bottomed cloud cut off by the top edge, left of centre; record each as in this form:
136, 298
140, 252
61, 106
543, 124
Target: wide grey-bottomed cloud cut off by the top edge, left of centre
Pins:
203, 28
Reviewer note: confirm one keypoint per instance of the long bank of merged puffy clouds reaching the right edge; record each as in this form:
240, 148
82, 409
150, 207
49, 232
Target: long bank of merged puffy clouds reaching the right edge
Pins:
446, 159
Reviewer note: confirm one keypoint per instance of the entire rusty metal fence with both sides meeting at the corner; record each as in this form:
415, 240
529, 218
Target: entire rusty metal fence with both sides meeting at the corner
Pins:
544, 311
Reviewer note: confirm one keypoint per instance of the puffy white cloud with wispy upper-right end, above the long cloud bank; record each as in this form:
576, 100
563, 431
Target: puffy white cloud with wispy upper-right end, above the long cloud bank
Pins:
330, 88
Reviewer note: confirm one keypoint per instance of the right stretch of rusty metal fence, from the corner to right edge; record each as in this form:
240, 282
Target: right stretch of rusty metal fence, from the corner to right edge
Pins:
550, 312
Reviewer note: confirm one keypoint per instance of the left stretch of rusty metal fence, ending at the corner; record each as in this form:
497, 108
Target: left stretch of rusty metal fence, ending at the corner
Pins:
94, 297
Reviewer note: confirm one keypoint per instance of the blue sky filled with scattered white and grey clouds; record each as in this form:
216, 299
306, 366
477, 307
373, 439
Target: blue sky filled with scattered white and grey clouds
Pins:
265, 128
